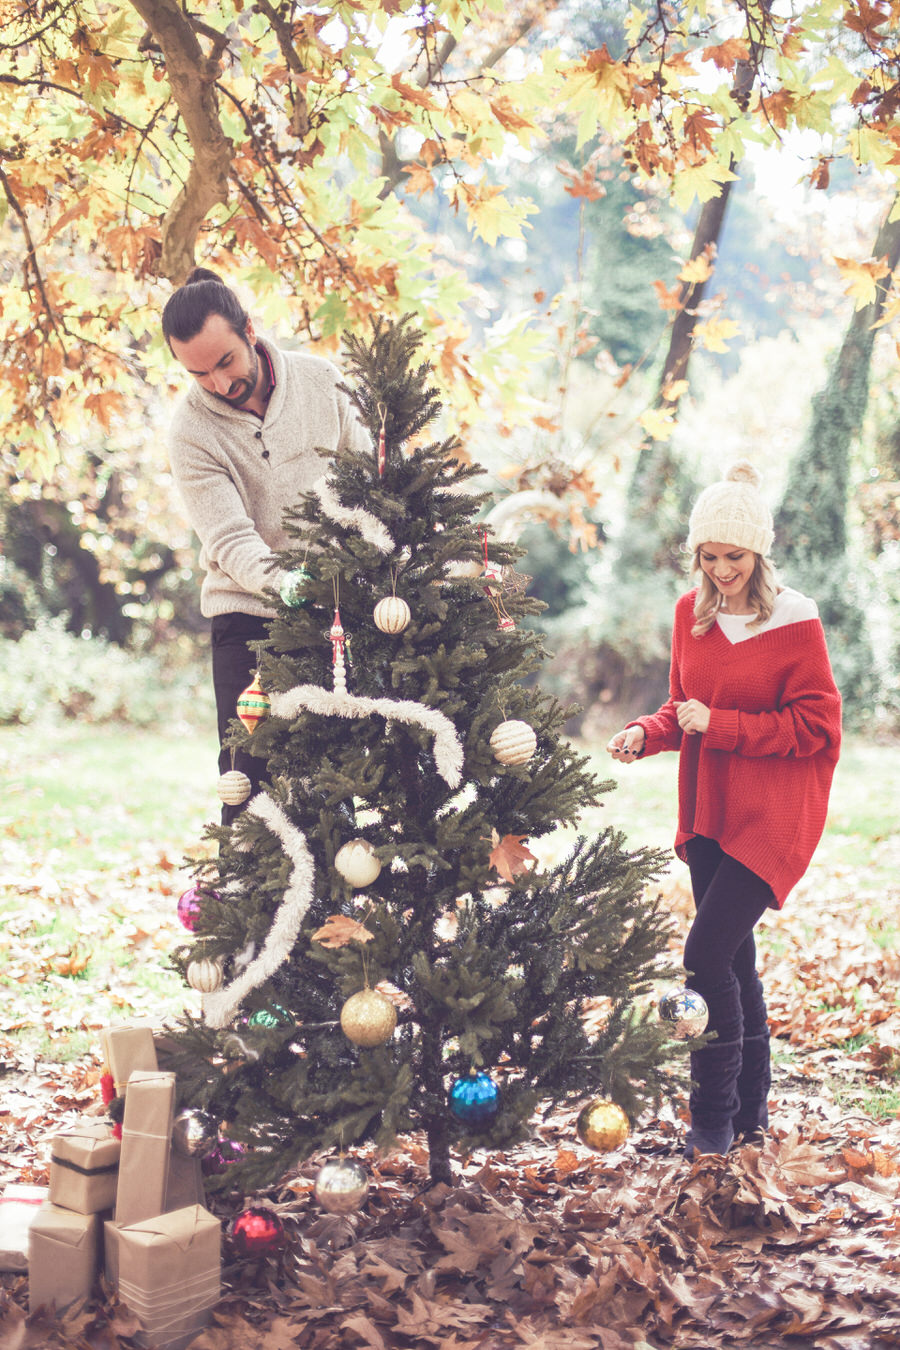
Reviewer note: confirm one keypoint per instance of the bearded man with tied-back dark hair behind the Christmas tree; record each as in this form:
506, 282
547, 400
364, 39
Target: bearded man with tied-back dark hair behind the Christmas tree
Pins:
244, 449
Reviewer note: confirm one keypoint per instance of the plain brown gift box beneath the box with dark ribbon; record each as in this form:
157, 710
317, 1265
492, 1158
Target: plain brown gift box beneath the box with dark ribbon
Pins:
63, 1256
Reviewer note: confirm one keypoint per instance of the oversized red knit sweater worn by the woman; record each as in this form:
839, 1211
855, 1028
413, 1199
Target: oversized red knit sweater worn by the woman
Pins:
759, 780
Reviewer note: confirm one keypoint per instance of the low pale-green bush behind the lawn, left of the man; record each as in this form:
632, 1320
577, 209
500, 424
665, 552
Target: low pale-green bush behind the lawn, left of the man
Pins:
51, 673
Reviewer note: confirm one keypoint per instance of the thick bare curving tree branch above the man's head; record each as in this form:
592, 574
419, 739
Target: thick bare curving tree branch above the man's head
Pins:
192, 83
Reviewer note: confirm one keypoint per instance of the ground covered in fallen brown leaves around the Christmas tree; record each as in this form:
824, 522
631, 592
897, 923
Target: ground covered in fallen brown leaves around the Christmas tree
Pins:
797, 1244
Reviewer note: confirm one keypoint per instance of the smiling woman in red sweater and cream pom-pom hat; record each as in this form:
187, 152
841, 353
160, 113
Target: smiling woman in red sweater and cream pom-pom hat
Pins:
756, 716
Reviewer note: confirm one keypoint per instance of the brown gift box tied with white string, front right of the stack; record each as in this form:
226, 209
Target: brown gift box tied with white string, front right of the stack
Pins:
169, 1272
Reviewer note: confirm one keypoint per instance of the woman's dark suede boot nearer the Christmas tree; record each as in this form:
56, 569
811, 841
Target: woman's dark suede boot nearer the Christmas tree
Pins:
714, 1074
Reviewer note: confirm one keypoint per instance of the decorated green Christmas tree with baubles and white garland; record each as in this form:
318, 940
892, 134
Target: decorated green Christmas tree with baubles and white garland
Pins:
380, 948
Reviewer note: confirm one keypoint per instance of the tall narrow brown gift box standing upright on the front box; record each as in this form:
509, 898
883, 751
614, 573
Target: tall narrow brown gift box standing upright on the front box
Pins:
146, 1139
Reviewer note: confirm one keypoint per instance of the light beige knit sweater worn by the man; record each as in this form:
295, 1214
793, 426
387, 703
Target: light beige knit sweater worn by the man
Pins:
238, 475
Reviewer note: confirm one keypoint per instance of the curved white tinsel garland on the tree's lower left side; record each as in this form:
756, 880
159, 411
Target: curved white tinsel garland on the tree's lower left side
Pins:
221, 1008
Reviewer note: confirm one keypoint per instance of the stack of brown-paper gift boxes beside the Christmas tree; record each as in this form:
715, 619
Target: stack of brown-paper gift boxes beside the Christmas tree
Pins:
134, 1204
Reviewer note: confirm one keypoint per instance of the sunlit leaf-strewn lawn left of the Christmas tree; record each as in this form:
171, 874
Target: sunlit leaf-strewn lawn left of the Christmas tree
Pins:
95, 826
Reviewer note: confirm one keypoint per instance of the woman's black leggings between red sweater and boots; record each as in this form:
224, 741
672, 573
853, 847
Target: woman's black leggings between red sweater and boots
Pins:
720, 952
